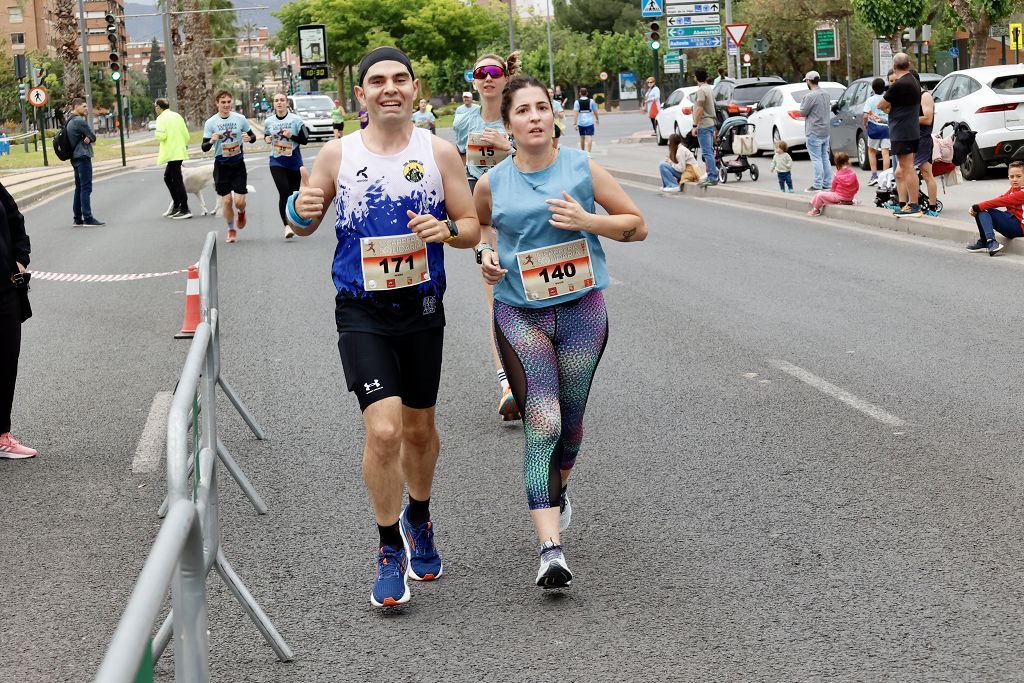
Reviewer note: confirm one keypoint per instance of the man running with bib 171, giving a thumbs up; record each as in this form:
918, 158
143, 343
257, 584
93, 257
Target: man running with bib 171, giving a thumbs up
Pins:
401, 195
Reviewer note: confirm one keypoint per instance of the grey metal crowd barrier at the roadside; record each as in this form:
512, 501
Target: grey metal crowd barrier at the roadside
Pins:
188, 546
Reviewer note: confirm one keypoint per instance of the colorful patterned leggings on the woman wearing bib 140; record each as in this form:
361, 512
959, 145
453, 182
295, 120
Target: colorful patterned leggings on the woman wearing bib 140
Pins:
550, 357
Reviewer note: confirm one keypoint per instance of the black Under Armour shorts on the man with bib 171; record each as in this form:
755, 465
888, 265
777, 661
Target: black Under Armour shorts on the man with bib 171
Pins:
407, 366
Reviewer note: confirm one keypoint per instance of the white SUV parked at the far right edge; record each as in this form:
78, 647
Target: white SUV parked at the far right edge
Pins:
991, 100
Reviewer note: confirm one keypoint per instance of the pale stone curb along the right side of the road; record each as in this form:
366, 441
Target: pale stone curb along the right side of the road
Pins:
936, 229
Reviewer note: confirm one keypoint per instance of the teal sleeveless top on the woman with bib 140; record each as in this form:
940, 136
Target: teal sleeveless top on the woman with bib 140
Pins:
521, 216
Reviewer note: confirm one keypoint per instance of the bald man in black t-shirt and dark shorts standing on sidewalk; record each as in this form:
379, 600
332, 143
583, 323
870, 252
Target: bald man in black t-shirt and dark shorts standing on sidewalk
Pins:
903, 104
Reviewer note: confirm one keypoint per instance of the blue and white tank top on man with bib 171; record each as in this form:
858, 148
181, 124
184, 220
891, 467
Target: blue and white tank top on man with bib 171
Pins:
374, 193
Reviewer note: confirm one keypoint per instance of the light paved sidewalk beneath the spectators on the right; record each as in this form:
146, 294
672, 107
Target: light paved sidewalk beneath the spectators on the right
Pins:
629, 160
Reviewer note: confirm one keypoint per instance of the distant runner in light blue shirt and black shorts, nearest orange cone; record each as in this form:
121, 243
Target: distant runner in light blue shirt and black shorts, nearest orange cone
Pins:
225, 133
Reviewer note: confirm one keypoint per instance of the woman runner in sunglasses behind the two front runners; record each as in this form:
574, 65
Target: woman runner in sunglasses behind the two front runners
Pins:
483, 142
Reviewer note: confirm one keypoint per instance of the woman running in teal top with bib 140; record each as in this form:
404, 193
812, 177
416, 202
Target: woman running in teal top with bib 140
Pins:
548, 272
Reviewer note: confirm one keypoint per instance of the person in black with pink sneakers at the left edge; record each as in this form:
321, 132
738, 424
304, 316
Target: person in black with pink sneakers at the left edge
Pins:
15, 250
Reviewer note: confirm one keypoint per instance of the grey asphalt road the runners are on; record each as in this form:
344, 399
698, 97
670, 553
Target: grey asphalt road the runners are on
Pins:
800, 464
